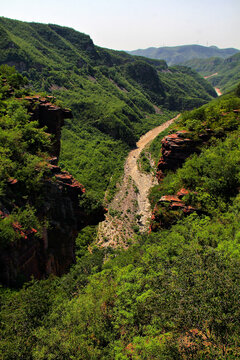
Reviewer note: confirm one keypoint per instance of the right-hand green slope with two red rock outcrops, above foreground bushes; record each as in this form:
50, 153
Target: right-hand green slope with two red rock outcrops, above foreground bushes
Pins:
204, 144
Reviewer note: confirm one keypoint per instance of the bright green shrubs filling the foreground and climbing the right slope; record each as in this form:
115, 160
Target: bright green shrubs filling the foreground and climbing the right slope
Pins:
173, 294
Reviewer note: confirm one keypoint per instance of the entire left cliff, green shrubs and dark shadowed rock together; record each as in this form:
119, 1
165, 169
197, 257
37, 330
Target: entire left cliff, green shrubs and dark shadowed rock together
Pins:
40, 213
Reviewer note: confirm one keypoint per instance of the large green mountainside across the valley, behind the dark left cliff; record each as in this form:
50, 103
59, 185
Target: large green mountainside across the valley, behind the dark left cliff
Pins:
114, 97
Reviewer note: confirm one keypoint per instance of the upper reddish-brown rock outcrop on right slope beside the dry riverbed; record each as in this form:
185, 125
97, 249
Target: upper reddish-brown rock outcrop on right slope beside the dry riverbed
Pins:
176, 148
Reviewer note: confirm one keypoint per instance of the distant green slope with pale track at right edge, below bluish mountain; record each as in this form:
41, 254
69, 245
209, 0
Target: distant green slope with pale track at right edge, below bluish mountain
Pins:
221, 73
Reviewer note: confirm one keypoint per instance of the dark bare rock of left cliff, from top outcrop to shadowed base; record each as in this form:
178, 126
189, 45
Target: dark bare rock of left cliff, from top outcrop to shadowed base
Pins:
52, 251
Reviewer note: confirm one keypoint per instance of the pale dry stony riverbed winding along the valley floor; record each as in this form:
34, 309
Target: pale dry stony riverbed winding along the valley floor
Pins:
129, 212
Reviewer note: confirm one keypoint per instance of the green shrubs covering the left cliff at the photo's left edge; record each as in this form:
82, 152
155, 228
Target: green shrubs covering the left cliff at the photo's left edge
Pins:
23, 148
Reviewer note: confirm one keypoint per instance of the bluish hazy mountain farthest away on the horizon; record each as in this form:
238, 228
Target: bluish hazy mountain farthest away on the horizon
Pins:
178, 54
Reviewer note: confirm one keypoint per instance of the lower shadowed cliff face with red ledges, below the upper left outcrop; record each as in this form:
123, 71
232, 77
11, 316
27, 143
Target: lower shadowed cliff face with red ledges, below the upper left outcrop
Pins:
53, 250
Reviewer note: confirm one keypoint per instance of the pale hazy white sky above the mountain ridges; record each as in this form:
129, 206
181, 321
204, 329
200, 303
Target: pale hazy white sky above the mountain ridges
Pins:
133, 24
